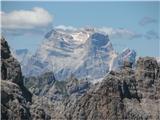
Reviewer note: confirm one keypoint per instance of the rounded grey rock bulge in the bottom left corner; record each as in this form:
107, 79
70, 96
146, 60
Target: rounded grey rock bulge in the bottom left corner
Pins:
13, 102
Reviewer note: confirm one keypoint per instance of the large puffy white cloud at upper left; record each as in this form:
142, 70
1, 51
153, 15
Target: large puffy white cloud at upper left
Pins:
26, 19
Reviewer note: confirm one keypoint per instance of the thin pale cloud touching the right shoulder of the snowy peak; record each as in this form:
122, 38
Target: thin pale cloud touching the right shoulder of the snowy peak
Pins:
119, 33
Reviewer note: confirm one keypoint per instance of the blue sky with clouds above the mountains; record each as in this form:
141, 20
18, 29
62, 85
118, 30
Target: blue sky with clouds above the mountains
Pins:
133, 25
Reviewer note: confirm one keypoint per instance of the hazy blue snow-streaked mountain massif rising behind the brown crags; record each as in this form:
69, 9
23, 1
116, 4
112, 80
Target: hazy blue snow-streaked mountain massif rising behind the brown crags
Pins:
87, 53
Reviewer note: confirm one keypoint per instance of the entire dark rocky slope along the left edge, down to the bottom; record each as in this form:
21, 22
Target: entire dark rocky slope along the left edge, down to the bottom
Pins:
16, 100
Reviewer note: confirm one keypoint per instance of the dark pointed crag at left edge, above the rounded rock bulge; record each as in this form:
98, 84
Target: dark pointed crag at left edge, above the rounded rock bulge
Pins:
10, 67
